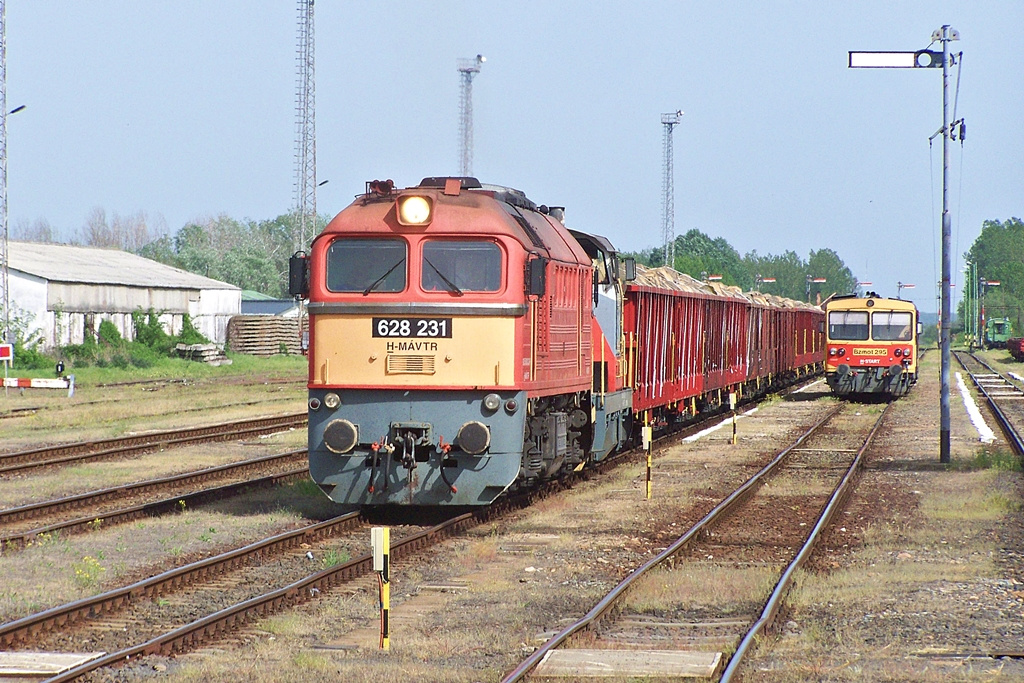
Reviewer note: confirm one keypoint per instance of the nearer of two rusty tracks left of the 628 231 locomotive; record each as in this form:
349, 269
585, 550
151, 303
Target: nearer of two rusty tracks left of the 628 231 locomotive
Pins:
21, 525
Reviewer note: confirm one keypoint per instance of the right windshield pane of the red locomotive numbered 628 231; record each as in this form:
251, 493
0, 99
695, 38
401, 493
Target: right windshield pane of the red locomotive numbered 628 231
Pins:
461, 267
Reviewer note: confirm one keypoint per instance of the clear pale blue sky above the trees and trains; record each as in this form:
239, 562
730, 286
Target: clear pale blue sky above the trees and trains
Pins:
186, 110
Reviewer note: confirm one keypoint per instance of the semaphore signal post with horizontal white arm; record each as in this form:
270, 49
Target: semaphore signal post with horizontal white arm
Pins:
931, 59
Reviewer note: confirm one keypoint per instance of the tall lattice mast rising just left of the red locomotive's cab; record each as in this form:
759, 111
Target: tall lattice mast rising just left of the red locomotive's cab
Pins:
306, 129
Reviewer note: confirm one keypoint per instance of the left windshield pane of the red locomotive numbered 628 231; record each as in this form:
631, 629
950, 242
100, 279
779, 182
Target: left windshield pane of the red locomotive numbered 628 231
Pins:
366, 266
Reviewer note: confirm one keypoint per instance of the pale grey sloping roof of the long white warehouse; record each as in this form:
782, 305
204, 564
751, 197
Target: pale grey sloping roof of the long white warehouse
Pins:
67, 264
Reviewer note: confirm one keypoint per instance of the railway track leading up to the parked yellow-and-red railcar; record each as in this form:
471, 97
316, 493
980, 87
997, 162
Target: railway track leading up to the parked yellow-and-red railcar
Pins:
815, 459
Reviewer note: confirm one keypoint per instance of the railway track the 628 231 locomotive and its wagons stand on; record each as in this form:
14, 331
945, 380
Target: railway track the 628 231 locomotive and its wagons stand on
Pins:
120, 614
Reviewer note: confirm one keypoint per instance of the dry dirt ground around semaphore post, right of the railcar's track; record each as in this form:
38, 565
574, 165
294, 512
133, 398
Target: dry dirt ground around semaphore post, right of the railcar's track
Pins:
925, 581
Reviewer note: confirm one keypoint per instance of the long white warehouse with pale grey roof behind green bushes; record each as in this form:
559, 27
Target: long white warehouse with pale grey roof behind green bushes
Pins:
65, 292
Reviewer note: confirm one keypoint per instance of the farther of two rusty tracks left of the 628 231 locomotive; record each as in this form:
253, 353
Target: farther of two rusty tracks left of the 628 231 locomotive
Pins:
110, 449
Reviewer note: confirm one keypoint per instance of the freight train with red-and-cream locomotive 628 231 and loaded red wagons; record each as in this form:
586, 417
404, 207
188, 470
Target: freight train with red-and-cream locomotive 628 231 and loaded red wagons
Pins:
463, 341
